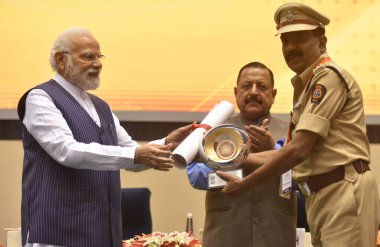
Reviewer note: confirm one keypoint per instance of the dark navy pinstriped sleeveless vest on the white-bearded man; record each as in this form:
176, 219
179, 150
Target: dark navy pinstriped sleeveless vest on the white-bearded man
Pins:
66, 206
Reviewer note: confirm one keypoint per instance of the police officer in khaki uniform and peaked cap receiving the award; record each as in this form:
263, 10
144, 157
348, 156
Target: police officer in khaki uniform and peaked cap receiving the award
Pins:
327, 144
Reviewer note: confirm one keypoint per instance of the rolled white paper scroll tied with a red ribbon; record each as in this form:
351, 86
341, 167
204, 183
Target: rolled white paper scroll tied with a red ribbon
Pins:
185, 153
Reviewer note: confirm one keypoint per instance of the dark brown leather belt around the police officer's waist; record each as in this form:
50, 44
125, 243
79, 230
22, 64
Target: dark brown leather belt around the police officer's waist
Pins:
313, 184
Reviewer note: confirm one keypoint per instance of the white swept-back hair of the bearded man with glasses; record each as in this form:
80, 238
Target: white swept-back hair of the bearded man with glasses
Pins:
63, 43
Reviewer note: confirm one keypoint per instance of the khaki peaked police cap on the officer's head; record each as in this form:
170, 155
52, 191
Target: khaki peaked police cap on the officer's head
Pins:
292, 17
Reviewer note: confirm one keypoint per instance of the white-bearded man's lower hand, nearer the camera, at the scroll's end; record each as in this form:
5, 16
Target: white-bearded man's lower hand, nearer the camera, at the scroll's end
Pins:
155, 156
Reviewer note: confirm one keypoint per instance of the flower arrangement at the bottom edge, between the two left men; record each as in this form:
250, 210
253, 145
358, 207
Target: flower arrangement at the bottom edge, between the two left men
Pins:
159, 239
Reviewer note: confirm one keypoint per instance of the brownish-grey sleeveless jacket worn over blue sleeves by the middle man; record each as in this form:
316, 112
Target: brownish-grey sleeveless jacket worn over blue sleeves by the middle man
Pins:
258, 218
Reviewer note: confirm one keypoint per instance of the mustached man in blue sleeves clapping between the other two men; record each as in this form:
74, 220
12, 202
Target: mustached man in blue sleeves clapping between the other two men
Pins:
260, 218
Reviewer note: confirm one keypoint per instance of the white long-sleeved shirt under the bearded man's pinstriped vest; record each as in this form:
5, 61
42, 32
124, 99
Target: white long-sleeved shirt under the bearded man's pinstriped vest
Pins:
46, 124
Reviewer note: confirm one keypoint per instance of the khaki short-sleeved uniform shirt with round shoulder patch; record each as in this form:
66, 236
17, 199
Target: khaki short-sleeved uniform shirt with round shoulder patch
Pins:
324, 106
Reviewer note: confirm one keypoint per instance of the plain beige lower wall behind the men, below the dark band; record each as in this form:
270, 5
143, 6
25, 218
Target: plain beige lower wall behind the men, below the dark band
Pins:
172, 197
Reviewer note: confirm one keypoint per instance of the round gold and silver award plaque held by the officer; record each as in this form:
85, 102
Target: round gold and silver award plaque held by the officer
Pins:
223, 148
